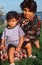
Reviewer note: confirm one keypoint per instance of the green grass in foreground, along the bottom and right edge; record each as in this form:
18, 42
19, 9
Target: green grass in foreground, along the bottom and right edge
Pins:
30, 61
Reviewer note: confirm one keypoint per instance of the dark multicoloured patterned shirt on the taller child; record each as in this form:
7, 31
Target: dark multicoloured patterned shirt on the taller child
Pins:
31, 28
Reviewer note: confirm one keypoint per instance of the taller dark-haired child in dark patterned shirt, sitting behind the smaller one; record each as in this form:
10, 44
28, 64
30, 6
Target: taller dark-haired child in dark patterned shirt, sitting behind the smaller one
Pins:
30, 24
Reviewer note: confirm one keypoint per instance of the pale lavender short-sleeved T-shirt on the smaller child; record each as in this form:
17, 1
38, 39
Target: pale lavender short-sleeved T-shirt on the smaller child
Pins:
12, 36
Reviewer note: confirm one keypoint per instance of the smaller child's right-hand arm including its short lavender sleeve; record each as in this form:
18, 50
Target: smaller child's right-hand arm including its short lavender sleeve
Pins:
21, 36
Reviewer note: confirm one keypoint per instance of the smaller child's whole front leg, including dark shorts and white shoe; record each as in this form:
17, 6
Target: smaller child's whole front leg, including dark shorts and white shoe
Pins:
11, 51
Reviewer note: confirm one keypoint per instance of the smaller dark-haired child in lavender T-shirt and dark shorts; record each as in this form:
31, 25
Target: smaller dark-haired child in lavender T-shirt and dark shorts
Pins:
13, 36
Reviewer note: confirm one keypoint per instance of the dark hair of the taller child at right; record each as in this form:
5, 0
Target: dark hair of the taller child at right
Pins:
31, 4
